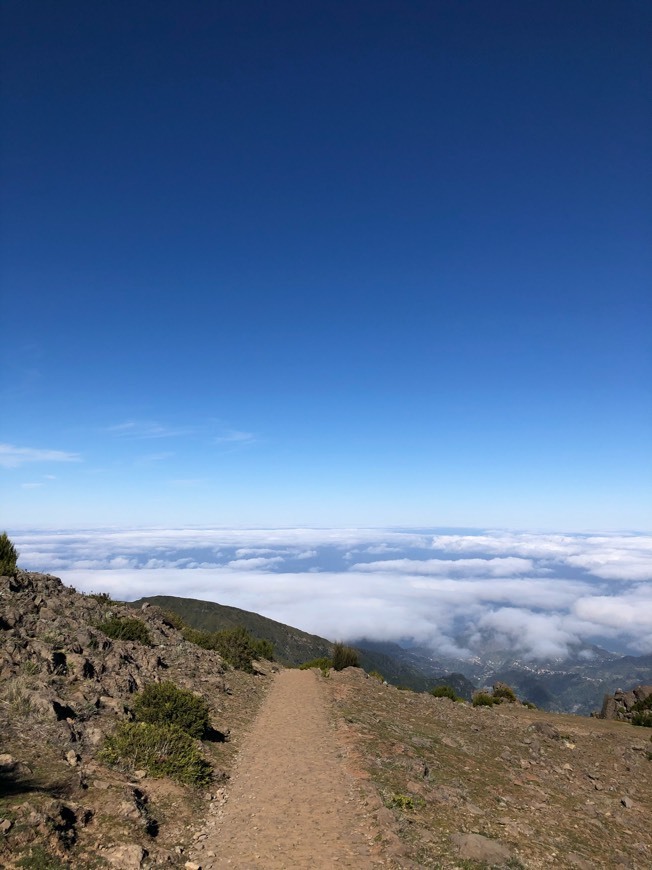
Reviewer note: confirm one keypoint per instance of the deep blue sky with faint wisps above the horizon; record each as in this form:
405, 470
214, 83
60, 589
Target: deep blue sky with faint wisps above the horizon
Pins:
326, 263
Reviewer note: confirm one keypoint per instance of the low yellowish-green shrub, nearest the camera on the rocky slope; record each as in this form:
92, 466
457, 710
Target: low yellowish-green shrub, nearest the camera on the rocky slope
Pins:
162, 750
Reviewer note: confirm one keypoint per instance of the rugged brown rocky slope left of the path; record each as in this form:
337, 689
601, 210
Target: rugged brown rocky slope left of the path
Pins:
65, 685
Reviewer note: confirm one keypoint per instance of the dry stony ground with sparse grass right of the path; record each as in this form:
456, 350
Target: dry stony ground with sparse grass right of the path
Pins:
552, 796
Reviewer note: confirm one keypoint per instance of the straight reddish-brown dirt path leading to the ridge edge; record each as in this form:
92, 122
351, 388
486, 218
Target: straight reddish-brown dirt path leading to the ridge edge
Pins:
292, 803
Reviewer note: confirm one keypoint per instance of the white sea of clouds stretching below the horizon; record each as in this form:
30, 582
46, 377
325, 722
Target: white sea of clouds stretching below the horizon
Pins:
540, 595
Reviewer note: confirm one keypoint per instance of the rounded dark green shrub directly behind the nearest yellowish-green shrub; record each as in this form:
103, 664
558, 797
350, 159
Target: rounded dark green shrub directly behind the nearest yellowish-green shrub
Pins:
167, 704
